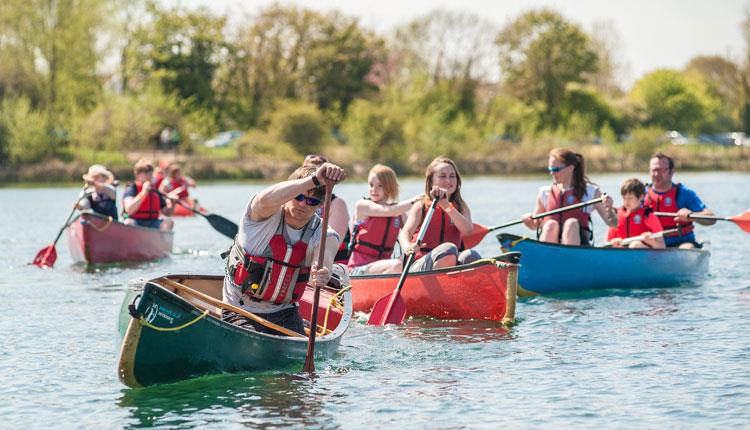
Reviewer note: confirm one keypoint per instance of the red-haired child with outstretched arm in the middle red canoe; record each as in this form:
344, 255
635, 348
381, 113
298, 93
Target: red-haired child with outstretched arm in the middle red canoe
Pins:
377, 221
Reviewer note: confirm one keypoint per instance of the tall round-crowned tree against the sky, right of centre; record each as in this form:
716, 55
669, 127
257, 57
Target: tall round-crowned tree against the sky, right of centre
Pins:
540, 54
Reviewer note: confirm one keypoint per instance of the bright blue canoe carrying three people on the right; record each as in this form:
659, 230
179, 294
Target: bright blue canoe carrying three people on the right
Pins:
552, 268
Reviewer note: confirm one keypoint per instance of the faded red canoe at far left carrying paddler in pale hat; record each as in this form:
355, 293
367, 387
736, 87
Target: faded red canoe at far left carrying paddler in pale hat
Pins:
94, 239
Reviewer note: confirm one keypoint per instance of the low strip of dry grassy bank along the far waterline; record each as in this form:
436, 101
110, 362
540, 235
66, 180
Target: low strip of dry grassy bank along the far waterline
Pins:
505, 158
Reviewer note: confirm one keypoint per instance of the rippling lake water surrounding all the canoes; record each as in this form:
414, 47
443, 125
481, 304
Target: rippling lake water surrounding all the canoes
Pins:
654, 358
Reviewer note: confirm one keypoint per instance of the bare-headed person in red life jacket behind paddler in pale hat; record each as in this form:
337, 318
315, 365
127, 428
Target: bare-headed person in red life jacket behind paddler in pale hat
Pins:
143, 205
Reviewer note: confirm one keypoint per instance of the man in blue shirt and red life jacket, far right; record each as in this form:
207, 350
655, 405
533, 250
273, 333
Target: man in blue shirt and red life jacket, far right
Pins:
663, 195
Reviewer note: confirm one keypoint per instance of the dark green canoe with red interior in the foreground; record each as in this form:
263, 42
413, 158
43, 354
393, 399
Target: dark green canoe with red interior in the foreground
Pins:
171, 330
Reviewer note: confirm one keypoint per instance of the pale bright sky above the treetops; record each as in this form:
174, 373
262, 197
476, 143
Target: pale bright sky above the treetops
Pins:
653, 33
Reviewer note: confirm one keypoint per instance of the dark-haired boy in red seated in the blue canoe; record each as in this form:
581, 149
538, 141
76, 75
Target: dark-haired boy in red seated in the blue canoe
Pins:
635, 220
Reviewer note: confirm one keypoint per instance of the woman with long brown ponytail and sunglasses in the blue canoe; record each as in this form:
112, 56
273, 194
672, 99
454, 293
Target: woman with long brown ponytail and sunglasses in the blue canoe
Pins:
569, 186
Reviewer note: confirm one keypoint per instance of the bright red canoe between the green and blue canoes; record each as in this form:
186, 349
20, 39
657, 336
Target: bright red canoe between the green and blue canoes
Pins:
485, 289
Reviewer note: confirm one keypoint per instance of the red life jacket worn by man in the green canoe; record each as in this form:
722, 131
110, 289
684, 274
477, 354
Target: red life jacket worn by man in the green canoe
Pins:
278, 274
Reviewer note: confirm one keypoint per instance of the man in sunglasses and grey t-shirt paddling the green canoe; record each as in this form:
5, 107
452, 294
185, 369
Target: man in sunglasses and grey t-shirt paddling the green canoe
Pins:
271, 260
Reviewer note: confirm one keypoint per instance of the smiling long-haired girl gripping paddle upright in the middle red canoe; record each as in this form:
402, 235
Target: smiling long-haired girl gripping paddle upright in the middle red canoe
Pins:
442, 246
